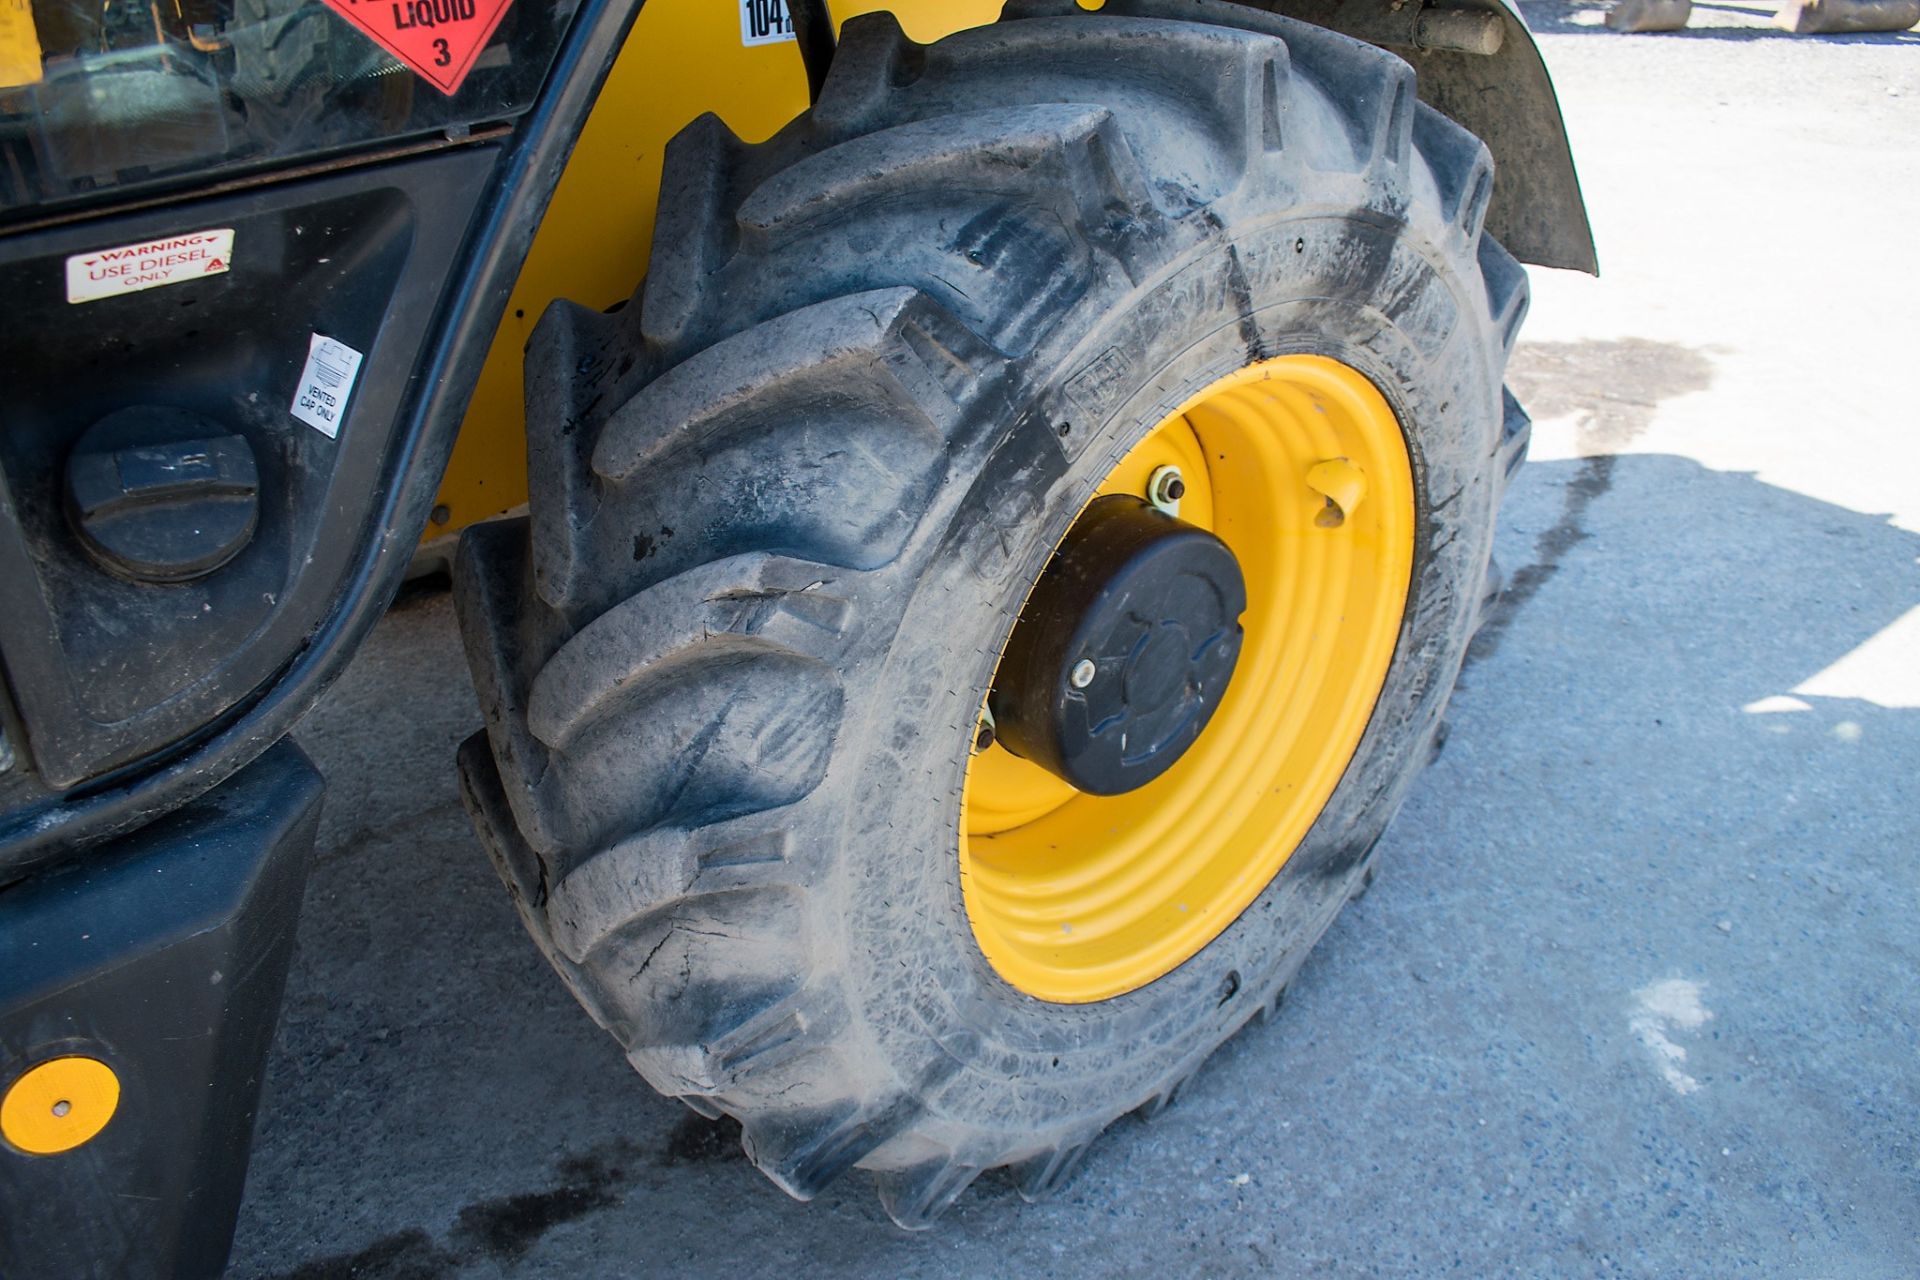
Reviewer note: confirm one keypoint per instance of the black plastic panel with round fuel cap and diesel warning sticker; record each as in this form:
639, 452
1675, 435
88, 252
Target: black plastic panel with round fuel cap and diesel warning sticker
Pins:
170, 529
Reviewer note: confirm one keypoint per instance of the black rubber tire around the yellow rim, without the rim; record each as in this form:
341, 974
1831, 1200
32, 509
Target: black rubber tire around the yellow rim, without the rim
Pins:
790, 502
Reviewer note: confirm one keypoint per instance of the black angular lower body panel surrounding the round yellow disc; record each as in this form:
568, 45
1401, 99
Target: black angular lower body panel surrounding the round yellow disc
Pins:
162, 957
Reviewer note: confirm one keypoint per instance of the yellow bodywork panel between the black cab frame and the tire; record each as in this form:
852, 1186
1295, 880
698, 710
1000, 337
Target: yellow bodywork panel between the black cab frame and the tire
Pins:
683, 60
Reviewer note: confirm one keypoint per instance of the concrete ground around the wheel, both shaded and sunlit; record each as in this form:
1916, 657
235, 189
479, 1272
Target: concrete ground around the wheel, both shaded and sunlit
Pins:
1639, 991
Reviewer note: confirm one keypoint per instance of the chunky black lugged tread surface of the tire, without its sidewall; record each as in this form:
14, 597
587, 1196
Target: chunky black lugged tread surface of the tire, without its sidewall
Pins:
661, 667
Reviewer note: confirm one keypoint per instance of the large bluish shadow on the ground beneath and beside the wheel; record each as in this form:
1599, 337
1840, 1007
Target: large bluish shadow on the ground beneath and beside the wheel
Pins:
1464, 1079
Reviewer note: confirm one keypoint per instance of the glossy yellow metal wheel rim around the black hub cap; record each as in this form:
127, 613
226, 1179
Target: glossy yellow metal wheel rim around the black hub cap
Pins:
1299, 465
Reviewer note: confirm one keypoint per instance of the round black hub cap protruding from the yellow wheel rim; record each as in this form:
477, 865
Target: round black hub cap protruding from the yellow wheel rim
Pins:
1124, 650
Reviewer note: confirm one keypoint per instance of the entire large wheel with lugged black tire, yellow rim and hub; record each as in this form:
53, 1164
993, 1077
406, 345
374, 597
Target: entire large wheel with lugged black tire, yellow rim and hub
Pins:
742, 665
